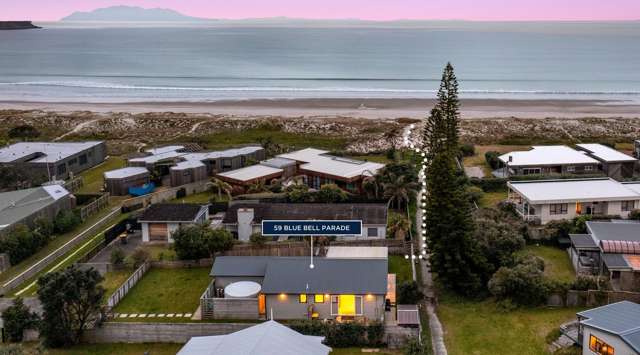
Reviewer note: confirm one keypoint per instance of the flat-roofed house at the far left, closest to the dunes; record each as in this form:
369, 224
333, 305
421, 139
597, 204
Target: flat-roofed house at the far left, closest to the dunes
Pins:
45, 161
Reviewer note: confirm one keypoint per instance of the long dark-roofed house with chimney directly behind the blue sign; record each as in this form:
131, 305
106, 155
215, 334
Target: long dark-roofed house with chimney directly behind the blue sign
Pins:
244, 218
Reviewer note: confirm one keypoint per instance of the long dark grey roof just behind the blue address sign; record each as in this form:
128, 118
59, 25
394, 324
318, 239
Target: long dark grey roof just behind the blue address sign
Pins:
369, 213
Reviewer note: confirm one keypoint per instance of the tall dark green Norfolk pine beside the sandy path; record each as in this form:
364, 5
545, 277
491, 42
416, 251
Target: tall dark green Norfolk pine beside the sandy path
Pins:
455, 255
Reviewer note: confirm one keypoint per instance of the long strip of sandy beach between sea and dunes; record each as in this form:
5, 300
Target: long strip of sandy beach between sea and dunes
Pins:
358, 108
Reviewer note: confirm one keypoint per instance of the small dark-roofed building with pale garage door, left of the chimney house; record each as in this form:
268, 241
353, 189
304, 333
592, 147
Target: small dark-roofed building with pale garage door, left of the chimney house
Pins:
159, 220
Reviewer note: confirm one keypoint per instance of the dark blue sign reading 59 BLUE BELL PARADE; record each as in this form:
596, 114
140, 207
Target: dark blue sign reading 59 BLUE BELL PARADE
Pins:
311, 228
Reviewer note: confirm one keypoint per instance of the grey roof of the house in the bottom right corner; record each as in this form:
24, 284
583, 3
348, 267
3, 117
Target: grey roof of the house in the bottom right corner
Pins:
622, 319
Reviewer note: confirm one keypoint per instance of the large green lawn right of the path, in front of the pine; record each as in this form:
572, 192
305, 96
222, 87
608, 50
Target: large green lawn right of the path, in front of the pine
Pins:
480, 327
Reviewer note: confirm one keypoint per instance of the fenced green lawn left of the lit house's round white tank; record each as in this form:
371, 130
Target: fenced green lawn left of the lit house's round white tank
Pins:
166, 291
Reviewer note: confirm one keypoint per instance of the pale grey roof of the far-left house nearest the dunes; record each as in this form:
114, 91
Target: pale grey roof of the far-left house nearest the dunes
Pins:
44, 152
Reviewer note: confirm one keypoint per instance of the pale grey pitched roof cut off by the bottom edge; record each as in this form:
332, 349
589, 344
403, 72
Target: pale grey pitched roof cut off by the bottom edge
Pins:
268, 338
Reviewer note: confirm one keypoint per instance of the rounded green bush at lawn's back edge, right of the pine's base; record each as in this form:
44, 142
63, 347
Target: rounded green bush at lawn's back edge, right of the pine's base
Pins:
523, 284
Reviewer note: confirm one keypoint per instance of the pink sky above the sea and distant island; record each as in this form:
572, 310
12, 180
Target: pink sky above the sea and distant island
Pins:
511, 10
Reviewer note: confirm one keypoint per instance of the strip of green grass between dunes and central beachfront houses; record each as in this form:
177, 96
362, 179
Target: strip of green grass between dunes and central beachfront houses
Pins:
231, 138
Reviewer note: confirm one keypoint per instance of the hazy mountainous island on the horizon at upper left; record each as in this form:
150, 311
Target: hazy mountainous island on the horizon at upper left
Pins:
130, 14
